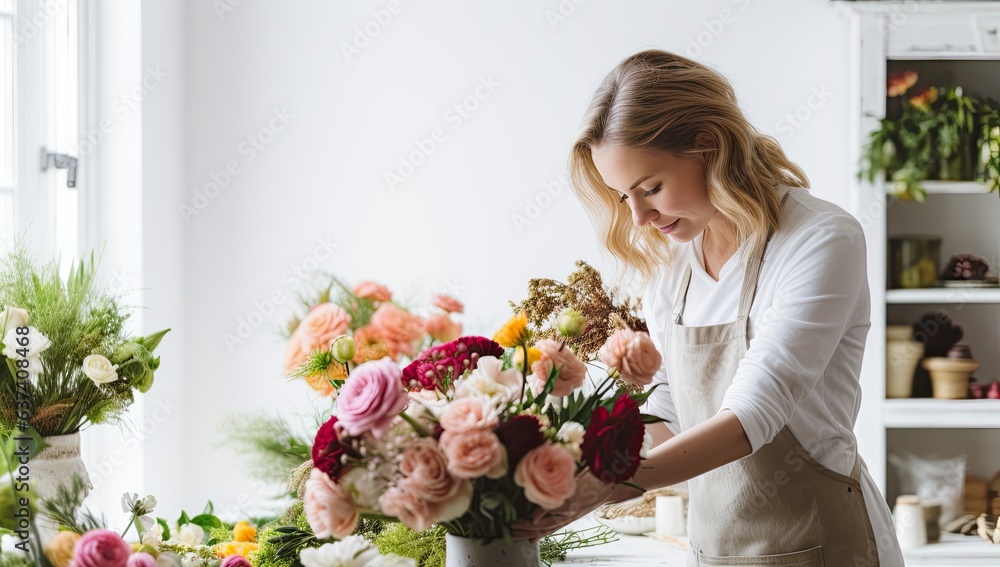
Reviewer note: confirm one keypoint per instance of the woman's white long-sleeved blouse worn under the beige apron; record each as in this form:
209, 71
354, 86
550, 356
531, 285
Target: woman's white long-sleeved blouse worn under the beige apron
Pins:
808, 325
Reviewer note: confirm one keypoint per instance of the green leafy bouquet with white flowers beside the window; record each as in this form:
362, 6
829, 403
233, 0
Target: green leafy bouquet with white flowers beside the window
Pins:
65, 356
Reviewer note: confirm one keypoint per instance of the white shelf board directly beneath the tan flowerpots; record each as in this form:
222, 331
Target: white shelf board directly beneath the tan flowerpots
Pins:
941, 414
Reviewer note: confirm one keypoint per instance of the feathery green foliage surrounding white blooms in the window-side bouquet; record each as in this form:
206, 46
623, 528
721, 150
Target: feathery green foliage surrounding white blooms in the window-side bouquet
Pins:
80, 317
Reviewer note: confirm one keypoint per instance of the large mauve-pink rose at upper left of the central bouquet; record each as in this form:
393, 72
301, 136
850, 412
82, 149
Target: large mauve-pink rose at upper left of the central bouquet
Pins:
371, 397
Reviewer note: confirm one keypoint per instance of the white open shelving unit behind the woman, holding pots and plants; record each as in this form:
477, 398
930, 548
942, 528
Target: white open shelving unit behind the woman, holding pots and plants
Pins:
947, 42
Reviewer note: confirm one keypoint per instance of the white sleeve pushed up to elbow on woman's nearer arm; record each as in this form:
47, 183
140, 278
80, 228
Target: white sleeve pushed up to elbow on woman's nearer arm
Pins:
820, 305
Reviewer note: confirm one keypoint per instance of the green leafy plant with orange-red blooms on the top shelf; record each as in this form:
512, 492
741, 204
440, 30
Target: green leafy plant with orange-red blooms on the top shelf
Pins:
939, 134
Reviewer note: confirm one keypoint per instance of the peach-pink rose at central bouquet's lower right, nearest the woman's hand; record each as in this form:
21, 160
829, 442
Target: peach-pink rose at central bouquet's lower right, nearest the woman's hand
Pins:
548, 475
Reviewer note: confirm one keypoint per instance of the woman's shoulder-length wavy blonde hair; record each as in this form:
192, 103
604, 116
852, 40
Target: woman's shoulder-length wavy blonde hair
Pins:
659, 100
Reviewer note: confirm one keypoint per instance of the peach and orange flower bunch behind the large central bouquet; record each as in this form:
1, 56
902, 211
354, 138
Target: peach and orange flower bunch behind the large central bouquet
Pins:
366, 325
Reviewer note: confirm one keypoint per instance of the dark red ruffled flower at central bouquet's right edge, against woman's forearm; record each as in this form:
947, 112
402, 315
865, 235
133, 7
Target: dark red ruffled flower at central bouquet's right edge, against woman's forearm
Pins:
613, 441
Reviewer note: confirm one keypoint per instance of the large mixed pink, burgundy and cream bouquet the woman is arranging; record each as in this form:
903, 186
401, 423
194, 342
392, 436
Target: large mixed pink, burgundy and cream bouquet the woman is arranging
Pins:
476, 433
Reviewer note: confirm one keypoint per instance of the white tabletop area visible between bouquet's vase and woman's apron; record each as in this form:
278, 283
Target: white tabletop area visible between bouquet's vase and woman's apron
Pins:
628, 550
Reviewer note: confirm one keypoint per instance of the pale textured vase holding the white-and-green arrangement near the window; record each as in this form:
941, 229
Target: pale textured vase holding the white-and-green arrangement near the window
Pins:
53, 467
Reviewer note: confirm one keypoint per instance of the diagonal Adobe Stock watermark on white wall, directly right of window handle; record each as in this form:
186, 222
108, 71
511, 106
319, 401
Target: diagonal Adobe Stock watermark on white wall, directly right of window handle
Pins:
248, 150
